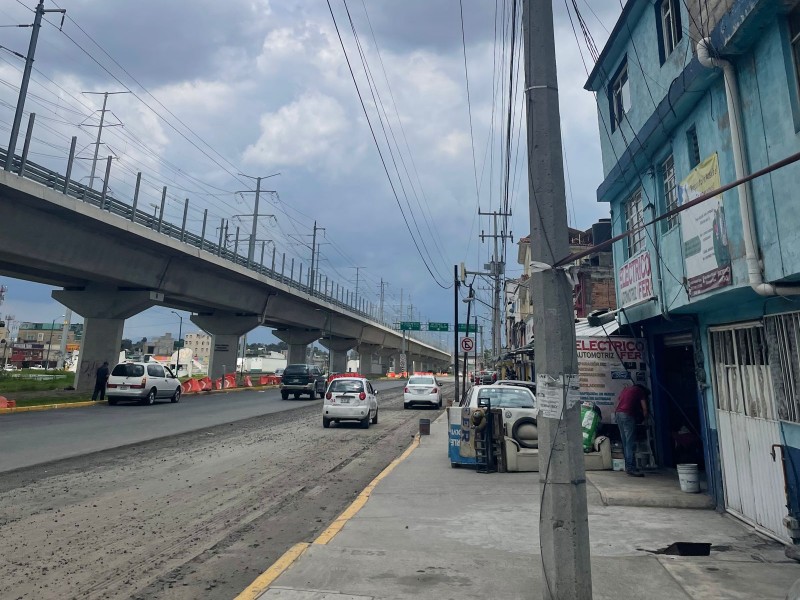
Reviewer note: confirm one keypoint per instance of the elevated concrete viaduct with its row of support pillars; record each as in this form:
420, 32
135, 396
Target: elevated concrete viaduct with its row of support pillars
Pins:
111, 268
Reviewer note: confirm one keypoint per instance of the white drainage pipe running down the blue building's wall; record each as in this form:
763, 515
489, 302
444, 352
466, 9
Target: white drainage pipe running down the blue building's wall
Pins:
754, 267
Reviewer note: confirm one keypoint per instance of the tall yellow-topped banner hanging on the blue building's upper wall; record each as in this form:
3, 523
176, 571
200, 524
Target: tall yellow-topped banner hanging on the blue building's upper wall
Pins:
705, 234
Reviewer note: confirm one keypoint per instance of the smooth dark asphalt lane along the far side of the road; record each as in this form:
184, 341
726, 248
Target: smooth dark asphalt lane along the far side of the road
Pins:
31, 438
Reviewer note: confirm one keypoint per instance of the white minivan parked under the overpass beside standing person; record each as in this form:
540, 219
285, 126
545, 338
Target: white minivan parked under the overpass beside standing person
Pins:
144, 382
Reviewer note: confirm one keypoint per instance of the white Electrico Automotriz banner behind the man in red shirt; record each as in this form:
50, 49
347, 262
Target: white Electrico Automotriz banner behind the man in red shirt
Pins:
606, 365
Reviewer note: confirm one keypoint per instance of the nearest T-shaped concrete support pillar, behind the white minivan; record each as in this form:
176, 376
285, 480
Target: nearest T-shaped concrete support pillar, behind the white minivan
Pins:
104, 310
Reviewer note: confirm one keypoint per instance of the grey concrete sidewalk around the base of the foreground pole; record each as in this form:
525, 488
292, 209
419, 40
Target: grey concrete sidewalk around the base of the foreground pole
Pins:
429, 531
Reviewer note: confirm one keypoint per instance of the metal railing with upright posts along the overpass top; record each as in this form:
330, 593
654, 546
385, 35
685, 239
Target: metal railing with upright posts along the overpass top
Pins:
331, 292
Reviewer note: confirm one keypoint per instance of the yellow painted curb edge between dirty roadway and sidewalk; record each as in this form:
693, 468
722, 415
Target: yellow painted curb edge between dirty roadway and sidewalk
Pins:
266, 579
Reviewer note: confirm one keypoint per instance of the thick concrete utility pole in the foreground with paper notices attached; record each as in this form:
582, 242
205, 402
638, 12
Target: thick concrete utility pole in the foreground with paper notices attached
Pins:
563, 521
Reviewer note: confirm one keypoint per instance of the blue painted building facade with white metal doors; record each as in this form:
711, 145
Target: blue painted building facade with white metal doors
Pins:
715, 288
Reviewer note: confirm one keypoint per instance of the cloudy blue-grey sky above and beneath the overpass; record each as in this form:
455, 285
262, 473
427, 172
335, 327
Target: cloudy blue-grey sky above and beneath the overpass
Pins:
262, 88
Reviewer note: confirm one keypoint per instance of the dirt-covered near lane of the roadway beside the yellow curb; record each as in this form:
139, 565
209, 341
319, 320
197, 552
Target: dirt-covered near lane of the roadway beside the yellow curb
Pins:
198, 515
